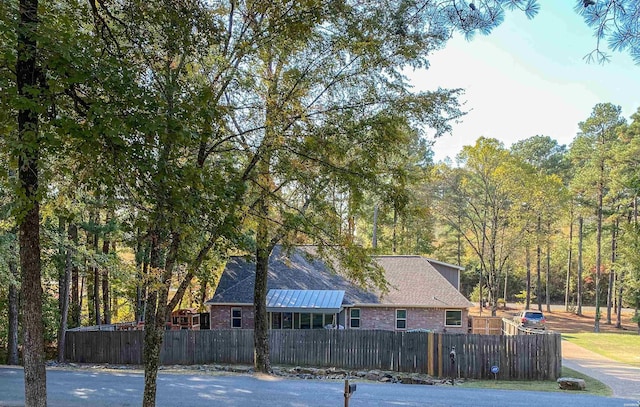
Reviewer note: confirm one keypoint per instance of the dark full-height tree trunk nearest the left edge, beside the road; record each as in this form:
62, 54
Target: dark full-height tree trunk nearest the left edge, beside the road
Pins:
27, 77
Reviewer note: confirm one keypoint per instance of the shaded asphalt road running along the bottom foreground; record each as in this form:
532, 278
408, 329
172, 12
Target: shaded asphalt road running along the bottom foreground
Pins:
124, 388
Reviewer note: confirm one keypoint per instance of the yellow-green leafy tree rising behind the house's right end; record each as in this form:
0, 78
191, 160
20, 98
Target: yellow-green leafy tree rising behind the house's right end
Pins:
490, 198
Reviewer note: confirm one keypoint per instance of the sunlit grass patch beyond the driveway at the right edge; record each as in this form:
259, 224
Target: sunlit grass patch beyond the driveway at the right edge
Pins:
621, 347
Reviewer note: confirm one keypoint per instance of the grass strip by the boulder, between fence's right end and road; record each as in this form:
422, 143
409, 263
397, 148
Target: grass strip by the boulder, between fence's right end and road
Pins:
593, 386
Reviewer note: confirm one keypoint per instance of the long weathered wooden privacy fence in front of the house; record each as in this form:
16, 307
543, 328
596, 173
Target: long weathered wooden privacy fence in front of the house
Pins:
517, 357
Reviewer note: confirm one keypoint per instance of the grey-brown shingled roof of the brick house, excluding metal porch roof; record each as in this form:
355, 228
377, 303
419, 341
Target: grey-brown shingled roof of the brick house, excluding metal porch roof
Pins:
413, 280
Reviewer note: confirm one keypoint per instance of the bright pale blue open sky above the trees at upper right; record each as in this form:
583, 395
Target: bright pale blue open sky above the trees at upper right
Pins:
527, 78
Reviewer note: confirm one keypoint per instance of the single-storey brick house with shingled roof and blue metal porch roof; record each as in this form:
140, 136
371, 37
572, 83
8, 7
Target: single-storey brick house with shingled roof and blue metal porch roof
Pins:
303, 293
